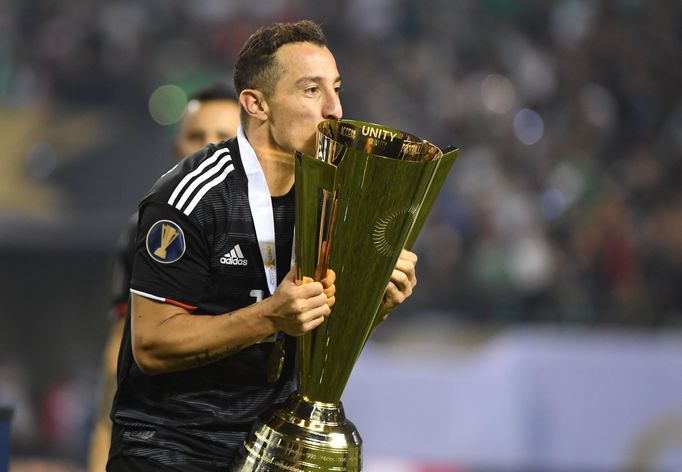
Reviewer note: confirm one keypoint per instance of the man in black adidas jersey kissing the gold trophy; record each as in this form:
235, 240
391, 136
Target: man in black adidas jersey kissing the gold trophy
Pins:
215, 306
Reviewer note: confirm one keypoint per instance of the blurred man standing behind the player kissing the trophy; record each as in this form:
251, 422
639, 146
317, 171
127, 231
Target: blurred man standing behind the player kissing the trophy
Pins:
211, 116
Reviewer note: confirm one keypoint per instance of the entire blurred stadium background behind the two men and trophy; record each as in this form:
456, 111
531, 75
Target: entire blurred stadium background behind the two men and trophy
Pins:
544, 333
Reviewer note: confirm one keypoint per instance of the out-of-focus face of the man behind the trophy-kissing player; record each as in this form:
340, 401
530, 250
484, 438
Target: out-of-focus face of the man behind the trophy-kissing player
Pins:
206, 122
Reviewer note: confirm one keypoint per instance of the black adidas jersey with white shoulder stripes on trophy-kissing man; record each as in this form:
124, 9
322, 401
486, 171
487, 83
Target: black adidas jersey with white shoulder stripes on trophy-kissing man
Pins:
197, 248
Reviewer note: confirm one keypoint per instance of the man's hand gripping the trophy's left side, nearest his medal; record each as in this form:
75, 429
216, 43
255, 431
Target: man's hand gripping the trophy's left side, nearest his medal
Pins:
300, 308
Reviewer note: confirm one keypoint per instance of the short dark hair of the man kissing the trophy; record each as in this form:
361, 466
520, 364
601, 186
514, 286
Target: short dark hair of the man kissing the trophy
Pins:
256, 66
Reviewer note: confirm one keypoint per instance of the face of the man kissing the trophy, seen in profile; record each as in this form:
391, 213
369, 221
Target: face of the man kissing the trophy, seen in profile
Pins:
306, 94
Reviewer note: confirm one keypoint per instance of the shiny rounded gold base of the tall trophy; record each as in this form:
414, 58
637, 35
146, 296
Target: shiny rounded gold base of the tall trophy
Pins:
301, 436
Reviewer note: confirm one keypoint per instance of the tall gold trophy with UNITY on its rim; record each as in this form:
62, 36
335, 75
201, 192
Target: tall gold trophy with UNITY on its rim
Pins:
363, 198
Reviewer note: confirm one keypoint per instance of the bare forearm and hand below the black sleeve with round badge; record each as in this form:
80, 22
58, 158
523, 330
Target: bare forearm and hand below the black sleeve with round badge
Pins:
168, 338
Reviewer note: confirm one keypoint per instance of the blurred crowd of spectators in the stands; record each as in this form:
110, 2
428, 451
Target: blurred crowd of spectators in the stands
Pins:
564, 205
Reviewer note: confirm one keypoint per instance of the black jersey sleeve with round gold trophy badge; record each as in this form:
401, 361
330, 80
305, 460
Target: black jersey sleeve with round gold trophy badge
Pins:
171, 258
